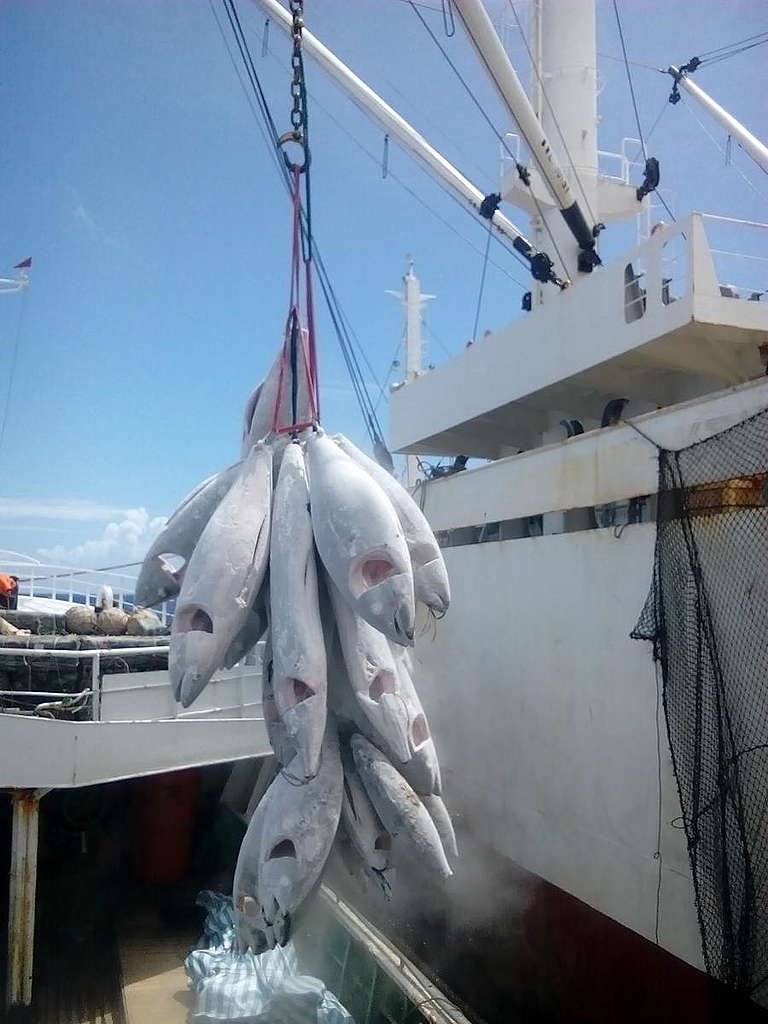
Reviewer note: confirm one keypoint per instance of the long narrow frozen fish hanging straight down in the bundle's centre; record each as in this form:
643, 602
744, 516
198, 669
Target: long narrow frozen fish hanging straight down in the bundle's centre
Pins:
300, 680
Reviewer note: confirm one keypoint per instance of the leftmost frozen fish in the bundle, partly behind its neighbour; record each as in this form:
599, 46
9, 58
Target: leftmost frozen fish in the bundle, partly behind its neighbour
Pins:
158, 581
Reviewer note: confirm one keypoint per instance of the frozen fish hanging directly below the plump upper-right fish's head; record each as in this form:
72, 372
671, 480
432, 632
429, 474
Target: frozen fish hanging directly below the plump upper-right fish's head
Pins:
373, 676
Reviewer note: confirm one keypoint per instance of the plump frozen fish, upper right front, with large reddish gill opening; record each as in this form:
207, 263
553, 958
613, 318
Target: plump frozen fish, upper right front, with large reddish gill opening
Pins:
360, 540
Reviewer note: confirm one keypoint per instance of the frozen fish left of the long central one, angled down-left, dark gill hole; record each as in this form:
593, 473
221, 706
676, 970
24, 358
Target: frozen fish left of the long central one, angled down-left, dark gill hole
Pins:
223, 578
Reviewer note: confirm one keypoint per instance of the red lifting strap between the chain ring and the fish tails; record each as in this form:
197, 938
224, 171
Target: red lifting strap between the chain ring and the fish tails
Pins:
300, 356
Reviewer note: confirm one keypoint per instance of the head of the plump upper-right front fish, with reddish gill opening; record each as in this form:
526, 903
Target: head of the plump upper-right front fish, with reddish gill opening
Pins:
385, 595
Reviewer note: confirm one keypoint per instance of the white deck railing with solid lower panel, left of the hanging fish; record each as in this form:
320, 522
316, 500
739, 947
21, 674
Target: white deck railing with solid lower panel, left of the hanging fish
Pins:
139, 696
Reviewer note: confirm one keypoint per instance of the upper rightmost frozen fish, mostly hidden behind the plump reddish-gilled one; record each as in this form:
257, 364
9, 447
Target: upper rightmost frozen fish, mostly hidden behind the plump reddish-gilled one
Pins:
431, 577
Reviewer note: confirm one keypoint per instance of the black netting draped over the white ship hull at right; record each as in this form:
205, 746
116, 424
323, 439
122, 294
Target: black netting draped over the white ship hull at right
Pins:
708, 617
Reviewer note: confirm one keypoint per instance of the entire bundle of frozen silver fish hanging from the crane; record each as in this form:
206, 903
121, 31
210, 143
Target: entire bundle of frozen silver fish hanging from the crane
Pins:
309, 542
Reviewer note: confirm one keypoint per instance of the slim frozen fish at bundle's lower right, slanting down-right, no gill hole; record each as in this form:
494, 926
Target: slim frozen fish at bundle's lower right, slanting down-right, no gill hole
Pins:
399, 807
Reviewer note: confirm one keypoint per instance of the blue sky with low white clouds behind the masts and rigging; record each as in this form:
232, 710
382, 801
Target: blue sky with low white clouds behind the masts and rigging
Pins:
135, 174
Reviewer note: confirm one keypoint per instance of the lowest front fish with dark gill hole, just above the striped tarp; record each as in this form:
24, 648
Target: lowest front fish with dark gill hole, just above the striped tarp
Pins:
298, 831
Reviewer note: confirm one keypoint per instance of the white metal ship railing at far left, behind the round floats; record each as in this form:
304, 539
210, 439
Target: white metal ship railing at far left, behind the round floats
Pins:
77, 586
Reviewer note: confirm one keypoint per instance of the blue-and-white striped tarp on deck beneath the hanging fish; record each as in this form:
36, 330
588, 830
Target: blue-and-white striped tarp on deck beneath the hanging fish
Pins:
246, 988
